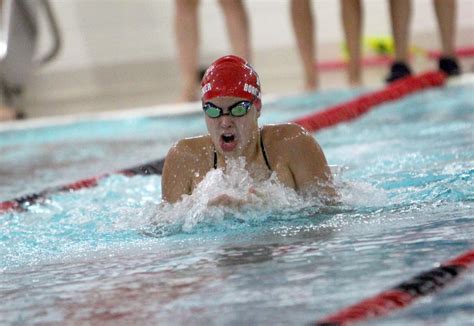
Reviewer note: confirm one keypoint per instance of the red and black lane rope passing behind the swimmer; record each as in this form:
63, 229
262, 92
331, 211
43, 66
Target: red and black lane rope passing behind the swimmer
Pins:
329, 117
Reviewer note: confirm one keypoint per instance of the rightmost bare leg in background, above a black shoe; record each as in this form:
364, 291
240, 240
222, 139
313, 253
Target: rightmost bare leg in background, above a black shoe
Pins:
446, 14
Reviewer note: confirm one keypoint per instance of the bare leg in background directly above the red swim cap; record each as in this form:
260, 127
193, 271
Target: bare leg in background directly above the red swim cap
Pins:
237, 27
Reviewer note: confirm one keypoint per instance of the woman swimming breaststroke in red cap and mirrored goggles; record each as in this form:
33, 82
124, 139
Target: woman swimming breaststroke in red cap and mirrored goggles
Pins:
231, 101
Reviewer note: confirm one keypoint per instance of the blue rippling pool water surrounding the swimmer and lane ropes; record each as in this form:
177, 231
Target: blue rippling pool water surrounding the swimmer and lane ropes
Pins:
109, 255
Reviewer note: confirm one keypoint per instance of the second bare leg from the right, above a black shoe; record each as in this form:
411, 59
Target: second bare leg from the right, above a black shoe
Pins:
400, 14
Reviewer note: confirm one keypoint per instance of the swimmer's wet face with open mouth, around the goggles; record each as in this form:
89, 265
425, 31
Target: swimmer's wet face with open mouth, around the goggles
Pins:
232, 135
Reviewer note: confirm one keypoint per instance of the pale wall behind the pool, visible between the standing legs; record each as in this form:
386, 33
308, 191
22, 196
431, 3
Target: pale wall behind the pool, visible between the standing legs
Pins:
127, 48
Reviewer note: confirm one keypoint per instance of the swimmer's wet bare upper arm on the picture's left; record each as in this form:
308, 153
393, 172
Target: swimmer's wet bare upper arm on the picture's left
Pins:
176, 178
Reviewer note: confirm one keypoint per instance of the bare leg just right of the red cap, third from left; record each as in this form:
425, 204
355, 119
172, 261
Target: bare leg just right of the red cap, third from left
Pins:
303, 25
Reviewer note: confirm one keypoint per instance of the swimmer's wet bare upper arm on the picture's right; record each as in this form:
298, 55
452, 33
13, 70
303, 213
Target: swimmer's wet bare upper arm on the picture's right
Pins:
309, 167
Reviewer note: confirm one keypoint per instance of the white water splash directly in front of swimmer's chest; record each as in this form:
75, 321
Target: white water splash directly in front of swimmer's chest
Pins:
261, 198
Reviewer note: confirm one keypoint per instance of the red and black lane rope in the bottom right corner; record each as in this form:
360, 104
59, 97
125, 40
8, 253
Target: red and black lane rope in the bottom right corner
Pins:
403, 294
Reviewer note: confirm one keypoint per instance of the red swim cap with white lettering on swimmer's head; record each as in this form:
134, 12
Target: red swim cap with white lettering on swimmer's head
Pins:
231, 76
